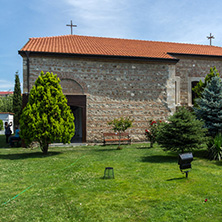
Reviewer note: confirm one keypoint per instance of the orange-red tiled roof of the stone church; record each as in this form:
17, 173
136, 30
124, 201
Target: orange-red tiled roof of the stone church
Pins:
86, 45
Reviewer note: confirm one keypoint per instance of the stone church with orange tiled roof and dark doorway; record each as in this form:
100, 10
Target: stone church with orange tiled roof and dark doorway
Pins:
105, 78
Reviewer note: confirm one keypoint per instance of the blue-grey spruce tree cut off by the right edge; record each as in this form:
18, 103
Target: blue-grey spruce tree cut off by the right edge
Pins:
210, 106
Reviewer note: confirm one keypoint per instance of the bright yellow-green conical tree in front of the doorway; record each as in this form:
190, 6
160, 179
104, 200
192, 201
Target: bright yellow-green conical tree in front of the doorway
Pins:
47, 117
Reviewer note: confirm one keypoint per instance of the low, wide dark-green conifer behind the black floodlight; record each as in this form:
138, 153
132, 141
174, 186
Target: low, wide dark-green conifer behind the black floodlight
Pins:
182, 132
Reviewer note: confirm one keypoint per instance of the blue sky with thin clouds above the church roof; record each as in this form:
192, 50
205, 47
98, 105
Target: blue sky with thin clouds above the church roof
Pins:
185, 21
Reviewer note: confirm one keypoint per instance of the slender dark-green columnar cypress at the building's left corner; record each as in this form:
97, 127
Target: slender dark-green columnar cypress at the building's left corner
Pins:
17, 100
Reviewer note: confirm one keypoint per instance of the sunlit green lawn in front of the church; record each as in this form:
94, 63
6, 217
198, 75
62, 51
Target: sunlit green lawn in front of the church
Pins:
67, 185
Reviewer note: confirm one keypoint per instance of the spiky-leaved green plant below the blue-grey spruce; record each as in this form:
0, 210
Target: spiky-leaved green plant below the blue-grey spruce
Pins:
215, 148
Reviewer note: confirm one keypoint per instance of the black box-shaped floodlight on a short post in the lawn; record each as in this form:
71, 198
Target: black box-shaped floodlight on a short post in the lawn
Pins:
184, 161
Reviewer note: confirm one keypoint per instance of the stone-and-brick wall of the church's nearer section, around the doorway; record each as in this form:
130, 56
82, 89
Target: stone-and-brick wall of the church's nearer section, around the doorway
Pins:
142, 91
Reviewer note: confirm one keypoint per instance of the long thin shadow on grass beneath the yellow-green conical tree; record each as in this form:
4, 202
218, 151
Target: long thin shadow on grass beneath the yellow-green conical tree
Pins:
18, 156
